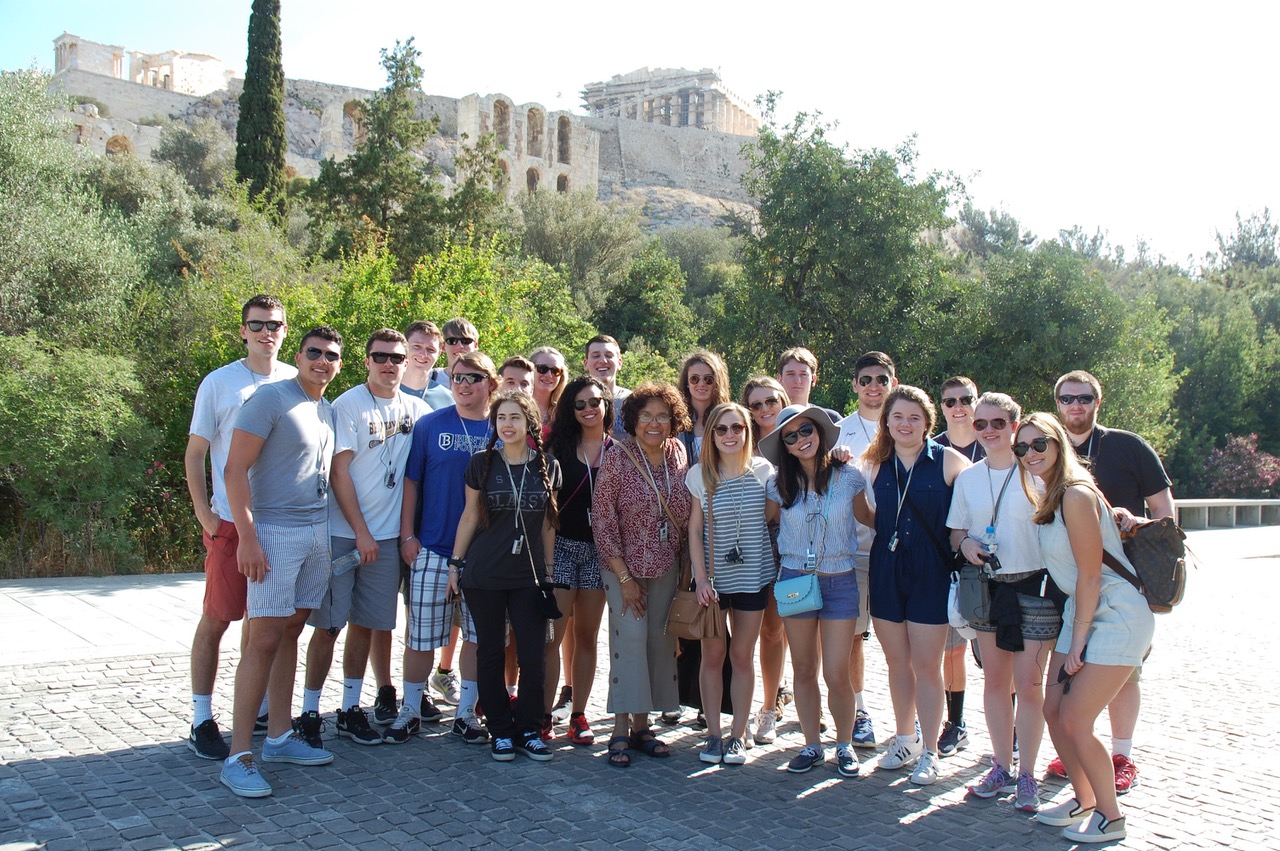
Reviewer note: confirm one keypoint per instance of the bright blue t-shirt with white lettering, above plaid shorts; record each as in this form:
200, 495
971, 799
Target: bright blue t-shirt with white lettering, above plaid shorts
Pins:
444, 445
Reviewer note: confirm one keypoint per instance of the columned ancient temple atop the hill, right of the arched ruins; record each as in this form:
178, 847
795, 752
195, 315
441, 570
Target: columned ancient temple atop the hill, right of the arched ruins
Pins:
671, 97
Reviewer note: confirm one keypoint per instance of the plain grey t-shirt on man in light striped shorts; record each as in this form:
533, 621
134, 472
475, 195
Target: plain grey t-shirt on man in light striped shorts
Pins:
290, 481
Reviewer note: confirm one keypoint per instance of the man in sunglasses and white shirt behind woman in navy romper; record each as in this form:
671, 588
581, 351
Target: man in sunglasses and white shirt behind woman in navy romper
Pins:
875, 376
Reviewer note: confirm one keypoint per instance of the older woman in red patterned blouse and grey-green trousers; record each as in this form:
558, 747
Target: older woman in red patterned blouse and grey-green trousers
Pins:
641, 515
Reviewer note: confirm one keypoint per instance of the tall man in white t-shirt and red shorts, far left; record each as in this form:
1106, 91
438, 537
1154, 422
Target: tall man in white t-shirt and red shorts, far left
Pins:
220, 399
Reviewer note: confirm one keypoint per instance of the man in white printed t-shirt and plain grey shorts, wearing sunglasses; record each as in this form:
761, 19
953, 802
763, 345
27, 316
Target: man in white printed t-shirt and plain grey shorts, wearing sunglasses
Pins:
374, 423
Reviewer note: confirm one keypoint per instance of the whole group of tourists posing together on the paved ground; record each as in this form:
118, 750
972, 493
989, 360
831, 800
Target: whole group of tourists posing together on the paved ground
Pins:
501, 498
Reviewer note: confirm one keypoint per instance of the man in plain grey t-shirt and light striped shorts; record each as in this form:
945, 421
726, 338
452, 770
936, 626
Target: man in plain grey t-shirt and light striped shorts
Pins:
278, 489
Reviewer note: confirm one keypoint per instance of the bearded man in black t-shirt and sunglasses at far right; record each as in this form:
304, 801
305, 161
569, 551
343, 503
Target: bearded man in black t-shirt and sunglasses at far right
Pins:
1135, 482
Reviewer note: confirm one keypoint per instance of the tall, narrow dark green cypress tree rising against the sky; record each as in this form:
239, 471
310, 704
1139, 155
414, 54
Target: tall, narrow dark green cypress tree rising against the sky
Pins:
260, 134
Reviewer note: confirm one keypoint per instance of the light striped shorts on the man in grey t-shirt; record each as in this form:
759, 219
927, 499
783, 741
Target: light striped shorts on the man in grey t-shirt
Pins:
300, 562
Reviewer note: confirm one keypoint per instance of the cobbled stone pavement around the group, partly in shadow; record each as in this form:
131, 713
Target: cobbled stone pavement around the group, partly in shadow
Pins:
95, 703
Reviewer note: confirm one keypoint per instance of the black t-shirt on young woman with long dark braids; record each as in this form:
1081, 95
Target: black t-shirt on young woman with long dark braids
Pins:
491, 562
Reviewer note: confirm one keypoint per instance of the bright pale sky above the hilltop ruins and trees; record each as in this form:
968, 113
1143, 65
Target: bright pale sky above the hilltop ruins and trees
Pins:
1153, 122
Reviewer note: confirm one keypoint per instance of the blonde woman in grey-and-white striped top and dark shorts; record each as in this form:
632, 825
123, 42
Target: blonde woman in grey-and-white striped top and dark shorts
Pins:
729, 491
